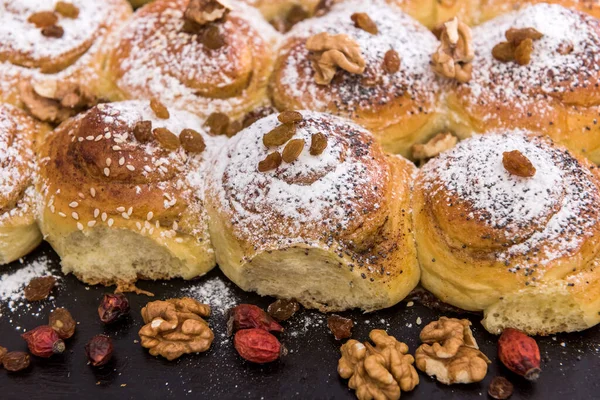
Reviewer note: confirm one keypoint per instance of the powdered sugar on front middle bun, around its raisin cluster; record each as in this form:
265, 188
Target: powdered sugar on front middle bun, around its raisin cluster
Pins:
310, 197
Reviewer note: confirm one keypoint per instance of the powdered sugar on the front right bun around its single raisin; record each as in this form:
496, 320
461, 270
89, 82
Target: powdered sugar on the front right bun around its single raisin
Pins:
560, 201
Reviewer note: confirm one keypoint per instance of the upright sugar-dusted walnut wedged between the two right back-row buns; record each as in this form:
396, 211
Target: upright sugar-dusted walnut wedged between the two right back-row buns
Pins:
453, 57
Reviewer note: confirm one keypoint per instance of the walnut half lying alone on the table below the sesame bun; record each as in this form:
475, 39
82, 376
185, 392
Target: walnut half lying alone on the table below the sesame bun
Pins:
175, 327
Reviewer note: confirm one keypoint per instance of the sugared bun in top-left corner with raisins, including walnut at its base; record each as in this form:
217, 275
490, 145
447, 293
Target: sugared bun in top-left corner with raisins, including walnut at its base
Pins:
52, 53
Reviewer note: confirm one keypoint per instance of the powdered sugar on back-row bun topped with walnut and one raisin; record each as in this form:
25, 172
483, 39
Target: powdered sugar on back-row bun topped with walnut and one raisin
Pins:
398, 31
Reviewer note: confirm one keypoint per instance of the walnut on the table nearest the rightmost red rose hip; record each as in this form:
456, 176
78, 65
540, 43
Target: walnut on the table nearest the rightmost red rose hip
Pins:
450, 352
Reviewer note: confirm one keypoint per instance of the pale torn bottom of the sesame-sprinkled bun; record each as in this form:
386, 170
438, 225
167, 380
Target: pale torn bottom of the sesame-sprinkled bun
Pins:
111, 256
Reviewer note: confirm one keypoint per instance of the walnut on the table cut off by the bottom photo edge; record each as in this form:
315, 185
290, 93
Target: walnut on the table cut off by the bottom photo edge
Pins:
378, 372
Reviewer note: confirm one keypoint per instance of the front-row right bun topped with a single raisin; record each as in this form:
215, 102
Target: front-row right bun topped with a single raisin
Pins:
509, 224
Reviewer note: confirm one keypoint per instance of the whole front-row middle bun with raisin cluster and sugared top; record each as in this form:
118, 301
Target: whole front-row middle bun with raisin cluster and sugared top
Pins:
320, 215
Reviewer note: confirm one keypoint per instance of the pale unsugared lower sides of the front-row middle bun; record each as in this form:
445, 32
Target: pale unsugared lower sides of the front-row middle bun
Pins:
314, 274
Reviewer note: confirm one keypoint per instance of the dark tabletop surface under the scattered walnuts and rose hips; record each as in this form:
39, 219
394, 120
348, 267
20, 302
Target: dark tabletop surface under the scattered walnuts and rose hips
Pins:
570, 362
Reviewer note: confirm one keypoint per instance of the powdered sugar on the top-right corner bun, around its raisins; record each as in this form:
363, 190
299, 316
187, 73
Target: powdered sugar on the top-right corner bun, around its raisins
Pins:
550, 73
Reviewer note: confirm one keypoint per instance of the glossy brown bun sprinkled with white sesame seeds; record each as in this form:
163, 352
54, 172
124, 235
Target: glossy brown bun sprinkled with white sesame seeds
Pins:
122, 193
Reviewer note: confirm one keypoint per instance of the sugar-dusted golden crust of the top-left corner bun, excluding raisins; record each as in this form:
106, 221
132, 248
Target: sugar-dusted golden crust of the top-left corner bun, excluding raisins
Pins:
77, 58
